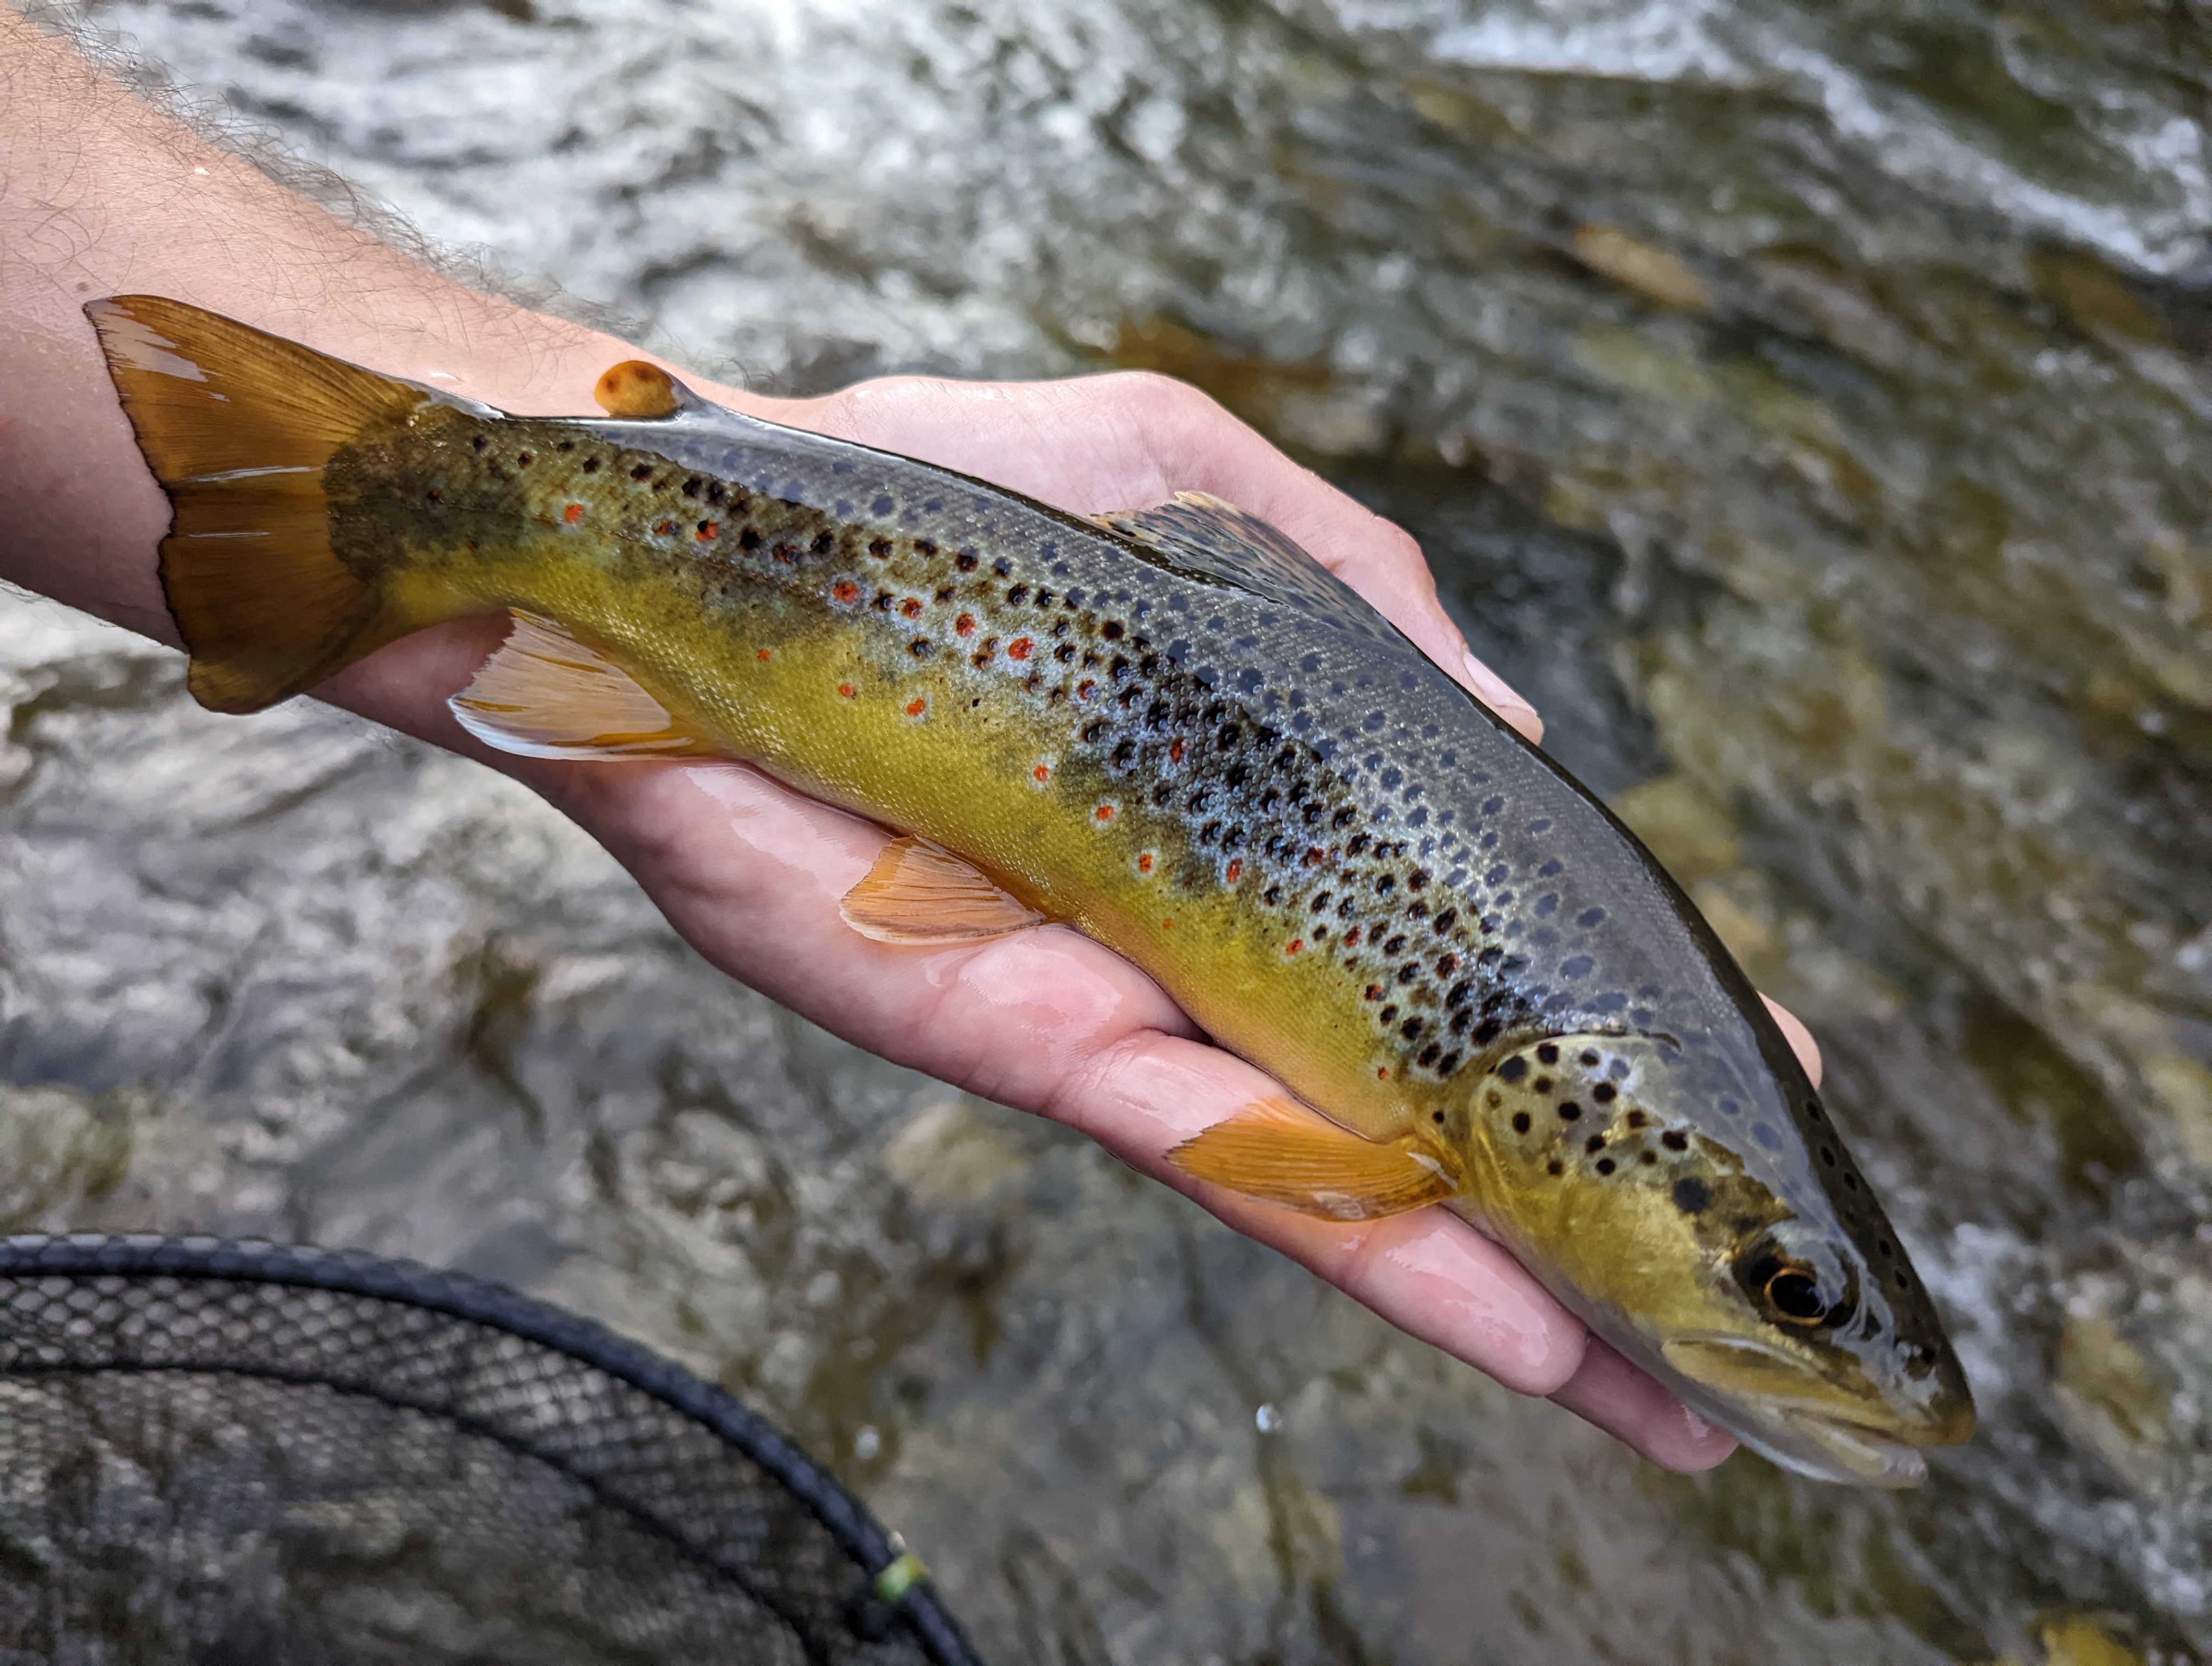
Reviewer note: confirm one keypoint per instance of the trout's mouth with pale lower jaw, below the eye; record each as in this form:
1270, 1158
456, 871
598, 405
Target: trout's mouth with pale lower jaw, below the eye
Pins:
1791, 1428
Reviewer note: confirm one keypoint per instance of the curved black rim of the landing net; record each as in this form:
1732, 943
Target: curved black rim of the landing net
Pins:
459, 1295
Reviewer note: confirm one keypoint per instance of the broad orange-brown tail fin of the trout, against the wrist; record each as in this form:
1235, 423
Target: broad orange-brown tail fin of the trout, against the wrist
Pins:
238, 428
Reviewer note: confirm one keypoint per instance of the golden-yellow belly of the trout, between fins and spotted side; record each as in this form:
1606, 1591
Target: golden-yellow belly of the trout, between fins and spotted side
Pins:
977, 769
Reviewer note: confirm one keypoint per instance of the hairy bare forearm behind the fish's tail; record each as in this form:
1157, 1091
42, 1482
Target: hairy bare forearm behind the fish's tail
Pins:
101, 194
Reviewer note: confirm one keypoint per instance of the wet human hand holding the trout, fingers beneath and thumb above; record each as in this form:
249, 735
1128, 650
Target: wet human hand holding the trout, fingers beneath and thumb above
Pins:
1050, 1021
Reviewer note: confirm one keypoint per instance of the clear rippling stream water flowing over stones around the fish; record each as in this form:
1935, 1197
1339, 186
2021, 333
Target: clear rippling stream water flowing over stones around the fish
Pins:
1806, 404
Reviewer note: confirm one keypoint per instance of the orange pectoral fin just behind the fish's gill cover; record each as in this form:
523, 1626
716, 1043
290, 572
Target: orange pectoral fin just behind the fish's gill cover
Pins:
1286, 1154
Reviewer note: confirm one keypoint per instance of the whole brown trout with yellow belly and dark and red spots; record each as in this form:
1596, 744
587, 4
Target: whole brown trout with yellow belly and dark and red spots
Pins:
1169, 729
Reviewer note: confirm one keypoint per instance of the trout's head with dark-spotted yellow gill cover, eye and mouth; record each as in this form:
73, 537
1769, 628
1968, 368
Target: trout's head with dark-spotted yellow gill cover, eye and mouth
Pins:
1709, 1225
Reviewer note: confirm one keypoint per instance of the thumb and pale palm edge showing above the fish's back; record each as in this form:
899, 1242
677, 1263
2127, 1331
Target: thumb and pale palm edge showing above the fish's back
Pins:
1131, 441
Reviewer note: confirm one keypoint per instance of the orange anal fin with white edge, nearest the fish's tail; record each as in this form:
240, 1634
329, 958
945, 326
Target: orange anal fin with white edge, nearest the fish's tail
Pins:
550, 696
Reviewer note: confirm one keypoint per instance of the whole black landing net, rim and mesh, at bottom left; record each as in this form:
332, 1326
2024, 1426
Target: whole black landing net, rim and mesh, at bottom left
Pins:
251, 1455
